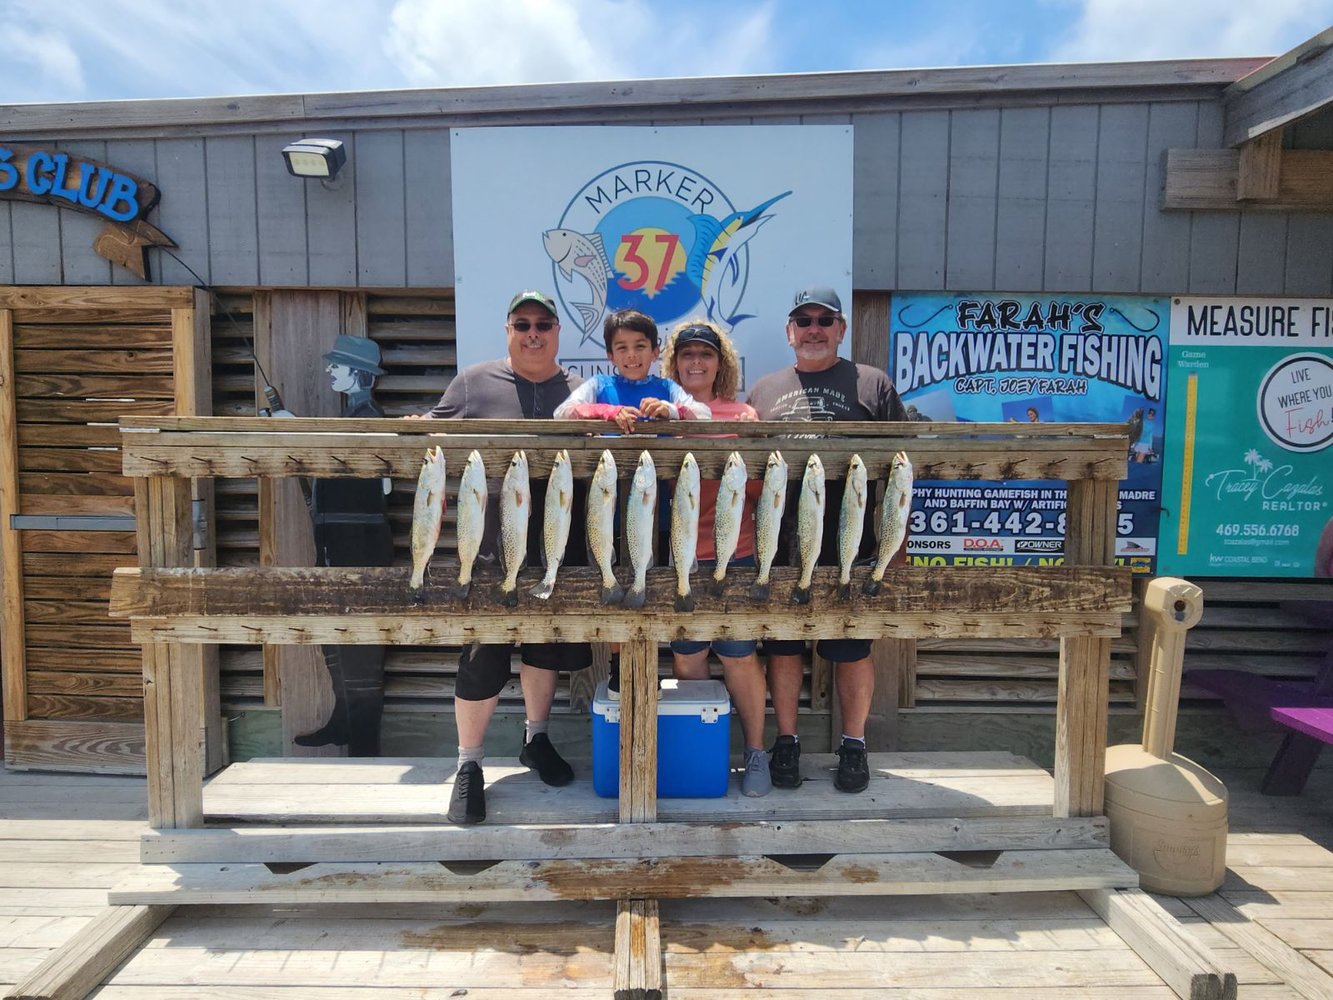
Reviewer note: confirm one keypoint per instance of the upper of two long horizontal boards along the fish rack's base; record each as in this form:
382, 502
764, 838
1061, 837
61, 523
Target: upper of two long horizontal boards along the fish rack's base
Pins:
621, 841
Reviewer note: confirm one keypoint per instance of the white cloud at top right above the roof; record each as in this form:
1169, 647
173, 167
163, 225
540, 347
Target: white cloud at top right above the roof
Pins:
1120, 30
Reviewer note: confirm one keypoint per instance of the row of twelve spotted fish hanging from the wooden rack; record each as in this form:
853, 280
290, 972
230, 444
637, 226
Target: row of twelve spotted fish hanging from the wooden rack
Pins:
642, 523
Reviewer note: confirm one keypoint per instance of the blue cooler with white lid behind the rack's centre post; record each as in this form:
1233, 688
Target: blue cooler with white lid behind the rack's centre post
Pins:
694, 741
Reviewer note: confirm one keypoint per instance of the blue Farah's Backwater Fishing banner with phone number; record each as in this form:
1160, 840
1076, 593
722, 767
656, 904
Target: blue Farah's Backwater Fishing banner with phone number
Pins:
1031, 359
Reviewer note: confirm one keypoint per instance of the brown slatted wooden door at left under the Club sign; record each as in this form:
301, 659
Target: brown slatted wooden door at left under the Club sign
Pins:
74, 361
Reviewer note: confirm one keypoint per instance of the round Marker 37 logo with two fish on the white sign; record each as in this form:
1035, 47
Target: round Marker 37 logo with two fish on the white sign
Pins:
654, 237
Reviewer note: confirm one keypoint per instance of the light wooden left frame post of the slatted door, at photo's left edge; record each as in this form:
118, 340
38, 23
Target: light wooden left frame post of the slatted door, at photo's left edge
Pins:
13, 637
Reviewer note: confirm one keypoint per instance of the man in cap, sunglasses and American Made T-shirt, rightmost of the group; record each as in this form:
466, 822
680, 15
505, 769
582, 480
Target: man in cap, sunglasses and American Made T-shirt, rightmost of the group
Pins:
823, 386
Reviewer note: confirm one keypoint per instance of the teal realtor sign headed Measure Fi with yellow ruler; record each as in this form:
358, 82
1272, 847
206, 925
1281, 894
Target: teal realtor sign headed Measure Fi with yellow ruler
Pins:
1250, 462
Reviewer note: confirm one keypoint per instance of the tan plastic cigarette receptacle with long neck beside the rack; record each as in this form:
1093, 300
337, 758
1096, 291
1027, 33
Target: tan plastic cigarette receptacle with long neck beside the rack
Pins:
1168, 815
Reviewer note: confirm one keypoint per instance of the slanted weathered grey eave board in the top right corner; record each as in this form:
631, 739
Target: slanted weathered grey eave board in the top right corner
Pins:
1290, 89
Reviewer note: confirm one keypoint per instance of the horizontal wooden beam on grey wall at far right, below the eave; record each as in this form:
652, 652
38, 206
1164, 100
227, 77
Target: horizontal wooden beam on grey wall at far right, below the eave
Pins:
1210, 181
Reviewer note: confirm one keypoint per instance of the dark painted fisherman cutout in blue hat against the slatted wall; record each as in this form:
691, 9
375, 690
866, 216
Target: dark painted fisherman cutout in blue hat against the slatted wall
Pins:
353, 529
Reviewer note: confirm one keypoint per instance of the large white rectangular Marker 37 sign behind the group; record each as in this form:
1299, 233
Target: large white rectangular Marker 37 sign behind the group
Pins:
720, 223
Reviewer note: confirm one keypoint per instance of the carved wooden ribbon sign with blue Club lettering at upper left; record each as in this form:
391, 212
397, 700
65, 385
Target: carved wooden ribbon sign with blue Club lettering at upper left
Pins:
46, 177
